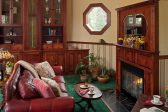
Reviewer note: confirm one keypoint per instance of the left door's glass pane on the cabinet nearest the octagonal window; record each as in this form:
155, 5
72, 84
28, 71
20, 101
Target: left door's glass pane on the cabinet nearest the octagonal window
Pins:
47, 11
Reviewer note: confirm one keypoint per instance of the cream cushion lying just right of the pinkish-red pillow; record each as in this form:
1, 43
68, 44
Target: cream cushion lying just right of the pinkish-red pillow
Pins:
54, 85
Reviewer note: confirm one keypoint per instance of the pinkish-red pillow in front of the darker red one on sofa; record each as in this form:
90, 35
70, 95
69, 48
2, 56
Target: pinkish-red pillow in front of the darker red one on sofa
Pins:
43, 88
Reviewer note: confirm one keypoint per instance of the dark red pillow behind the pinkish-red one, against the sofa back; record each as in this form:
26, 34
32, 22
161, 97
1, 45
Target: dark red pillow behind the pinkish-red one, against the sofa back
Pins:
26, 89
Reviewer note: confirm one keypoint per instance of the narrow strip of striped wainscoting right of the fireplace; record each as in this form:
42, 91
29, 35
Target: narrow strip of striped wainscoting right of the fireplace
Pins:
163, 74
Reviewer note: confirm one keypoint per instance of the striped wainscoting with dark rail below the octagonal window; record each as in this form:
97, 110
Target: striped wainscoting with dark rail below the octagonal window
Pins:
107, 52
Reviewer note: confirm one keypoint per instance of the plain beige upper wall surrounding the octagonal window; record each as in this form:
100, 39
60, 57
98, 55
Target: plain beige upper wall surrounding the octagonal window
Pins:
75, 20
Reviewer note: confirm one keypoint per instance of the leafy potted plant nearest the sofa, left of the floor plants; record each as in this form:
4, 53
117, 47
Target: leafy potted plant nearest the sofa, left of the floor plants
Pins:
81, 70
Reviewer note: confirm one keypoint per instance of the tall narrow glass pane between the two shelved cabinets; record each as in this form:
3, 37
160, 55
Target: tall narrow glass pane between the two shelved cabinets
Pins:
32, 24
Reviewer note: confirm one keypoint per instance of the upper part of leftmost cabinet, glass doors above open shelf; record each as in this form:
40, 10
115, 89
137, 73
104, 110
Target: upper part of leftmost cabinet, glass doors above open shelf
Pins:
11, 22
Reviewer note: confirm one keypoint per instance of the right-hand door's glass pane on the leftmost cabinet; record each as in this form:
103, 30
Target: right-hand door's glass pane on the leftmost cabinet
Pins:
16, 11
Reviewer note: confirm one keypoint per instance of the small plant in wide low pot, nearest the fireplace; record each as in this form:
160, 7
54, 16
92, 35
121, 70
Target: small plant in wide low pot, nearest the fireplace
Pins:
104, 77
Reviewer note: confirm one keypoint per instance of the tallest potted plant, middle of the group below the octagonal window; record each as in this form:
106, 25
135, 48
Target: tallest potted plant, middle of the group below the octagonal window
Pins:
94, 65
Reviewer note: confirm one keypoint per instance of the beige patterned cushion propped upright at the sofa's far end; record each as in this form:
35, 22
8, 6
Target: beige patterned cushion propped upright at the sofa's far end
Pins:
44, 69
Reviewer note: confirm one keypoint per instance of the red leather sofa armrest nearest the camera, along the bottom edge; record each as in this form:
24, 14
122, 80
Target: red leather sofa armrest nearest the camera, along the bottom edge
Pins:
57, 104
